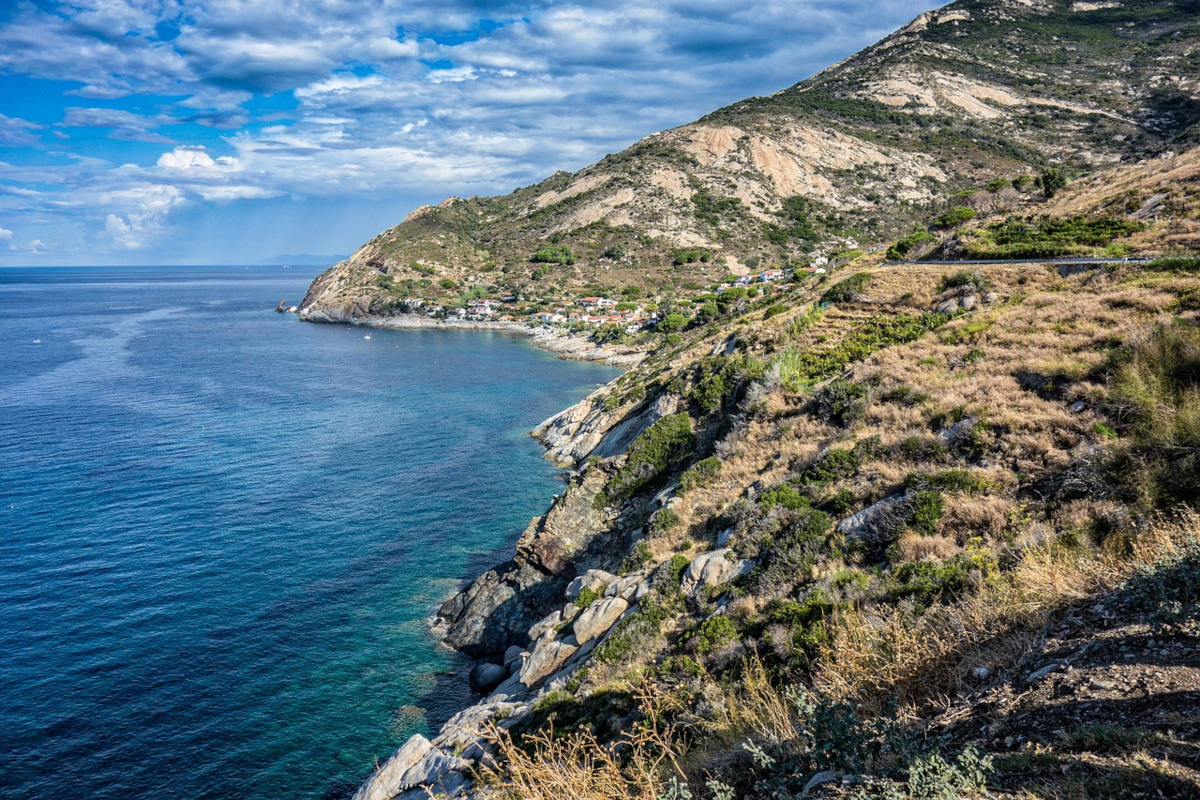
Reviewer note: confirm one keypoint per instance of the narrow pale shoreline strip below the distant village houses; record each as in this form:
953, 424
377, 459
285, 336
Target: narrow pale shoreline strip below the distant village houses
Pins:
562, 344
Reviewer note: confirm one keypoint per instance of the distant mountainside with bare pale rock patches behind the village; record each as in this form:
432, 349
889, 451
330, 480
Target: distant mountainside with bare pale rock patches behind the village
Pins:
855, 157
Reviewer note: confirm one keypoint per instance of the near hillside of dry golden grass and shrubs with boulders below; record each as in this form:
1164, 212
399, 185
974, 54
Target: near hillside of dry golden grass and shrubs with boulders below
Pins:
904, 531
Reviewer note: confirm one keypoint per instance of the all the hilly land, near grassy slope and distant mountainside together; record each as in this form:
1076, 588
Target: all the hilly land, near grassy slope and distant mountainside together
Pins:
880, 528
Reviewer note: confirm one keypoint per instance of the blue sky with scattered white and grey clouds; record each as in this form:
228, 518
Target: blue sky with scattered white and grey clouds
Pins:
232, 131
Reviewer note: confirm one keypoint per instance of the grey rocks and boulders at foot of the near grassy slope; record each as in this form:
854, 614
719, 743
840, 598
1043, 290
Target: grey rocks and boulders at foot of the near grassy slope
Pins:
520, 619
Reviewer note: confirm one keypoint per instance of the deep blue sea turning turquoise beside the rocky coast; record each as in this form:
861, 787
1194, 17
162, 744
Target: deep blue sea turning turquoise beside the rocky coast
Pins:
223, 531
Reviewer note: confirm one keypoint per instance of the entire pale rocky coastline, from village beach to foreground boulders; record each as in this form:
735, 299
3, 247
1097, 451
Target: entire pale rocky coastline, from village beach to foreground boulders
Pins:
505, 684
